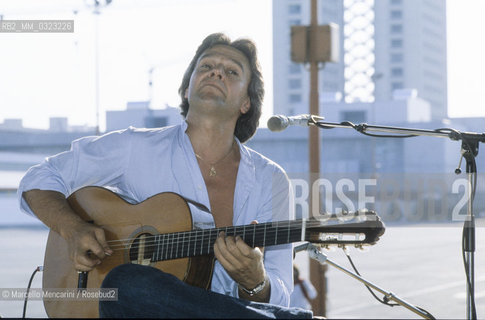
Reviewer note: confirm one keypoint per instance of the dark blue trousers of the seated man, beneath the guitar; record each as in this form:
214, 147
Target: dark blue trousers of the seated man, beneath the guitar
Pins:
148, 292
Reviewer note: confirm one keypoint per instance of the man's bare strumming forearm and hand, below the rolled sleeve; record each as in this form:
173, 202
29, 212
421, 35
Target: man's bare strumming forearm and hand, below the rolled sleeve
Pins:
87, 243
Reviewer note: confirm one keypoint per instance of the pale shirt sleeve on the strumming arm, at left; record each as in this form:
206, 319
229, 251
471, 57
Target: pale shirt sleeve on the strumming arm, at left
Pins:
91, 161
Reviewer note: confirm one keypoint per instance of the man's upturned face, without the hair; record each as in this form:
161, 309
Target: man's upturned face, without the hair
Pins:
220, 81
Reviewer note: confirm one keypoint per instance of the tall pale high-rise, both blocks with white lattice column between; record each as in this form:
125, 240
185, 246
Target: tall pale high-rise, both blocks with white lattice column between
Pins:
385, 45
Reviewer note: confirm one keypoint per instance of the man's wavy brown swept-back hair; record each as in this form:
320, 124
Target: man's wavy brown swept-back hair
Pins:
247, 123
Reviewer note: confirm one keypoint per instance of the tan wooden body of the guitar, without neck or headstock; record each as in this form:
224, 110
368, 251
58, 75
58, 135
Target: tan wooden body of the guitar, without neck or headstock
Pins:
162, 213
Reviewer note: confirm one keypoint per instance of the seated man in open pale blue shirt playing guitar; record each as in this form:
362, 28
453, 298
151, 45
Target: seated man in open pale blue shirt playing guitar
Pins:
202, 159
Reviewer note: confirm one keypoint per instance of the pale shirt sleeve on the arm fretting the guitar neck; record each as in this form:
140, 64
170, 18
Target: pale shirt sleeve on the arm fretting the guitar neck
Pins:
278, 260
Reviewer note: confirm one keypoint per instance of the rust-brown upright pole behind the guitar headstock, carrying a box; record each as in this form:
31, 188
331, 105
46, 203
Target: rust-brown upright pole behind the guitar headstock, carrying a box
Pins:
317, 271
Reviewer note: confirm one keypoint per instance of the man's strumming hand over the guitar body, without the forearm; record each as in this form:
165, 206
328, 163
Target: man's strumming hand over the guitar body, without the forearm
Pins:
87, 245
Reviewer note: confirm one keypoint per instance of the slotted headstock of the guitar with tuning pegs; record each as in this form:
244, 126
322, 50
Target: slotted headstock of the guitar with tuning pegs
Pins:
362, 227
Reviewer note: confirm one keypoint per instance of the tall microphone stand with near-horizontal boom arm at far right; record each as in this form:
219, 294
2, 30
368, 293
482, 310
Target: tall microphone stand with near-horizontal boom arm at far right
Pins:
469, 150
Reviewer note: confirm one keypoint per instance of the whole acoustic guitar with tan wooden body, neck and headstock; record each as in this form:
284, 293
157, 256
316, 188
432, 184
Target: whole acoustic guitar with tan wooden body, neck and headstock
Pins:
159, 232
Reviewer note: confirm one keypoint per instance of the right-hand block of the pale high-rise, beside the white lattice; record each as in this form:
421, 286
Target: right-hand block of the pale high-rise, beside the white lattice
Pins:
410, 51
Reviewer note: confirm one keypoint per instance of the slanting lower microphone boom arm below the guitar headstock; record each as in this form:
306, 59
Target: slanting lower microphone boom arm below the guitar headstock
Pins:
315, 253
